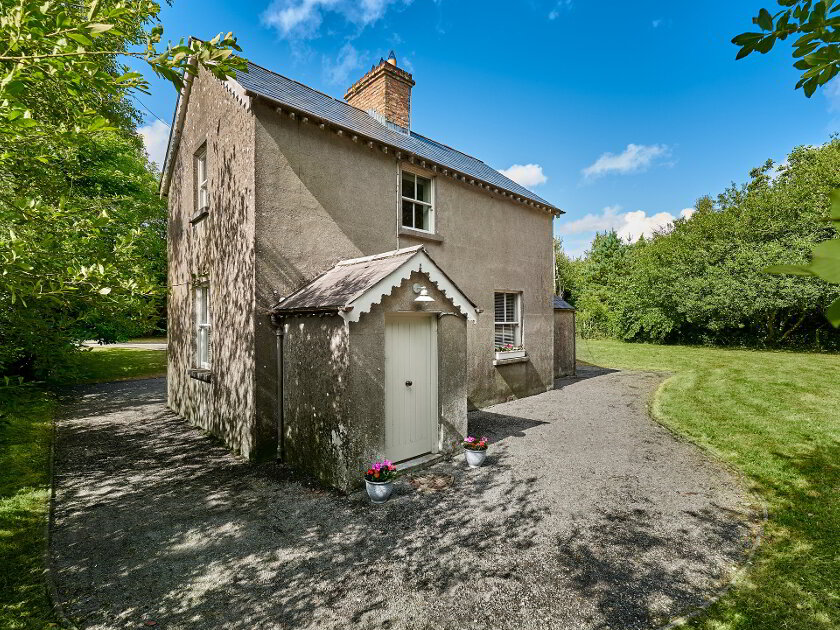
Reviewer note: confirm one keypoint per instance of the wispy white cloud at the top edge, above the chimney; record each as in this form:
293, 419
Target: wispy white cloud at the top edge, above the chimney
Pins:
301, 19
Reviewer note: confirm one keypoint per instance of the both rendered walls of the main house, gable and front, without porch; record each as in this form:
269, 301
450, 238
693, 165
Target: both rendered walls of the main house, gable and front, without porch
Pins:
288, 201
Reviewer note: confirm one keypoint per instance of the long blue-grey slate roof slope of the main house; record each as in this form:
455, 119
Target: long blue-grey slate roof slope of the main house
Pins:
294, 95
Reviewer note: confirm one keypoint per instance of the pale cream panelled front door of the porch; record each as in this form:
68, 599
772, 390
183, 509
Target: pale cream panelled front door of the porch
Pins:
411, 414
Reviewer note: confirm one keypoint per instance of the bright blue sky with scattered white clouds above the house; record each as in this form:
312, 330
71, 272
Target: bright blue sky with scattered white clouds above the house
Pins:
621, 113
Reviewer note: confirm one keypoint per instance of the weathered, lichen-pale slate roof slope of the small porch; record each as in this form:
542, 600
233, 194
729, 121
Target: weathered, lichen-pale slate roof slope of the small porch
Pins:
338, 287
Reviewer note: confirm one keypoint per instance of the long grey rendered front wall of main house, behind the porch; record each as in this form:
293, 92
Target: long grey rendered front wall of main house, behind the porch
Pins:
322, 198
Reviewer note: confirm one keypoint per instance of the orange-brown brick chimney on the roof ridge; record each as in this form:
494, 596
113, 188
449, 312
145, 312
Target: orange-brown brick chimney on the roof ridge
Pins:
386, 89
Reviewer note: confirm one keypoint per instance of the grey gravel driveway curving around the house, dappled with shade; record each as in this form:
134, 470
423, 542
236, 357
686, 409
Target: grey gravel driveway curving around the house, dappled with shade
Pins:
589, 515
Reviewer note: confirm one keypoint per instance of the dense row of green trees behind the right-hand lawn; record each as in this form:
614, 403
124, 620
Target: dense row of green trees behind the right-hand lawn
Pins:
704, 280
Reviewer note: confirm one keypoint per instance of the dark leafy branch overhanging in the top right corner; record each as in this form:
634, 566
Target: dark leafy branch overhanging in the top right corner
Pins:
817, 49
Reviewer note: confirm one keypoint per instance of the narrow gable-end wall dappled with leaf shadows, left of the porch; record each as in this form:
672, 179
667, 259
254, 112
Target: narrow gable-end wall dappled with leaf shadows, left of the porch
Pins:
221, 249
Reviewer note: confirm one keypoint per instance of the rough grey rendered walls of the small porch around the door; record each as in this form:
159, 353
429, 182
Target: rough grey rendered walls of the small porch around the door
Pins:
334, 419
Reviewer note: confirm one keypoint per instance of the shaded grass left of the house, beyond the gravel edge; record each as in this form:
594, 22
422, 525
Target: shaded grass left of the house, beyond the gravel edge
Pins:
26, 415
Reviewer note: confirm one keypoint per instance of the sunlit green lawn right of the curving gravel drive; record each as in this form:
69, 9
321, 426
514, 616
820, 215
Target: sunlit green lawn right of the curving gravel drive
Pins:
775, 416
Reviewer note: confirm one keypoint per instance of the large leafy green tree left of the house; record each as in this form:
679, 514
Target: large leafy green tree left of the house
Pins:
80, 224
